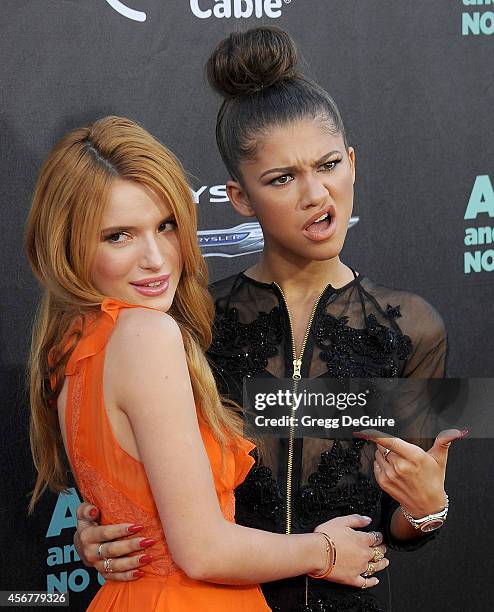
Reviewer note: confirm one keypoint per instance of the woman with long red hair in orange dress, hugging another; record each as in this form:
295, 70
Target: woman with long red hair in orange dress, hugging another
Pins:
119, 377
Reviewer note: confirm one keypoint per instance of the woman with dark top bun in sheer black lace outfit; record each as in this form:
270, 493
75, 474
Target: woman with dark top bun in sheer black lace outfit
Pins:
301, 312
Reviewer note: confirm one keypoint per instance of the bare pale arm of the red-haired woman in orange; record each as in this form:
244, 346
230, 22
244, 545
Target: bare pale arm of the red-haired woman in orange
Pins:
153, 388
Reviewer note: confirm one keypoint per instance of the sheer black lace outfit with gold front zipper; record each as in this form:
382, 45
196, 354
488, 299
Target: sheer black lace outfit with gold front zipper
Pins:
360, 330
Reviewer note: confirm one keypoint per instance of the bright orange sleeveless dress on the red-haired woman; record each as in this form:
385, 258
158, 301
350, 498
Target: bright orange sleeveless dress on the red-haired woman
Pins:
116, 483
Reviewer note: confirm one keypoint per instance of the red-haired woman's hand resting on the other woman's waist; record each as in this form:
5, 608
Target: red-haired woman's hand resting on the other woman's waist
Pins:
355, 550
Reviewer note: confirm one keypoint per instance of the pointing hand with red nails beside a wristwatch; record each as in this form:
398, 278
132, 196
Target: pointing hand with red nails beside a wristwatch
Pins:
412, 476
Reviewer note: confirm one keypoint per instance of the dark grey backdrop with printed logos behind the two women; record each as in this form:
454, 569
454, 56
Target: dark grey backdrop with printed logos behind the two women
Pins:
414, 83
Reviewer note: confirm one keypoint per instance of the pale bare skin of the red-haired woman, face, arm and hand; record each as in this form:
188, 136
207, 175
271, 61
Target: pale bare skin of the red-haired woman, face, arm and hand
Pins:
144, 363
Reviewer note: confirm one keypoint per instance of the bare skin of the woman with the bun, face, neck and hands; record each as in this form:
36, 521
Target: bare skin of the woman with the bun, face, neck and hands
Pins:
299, 171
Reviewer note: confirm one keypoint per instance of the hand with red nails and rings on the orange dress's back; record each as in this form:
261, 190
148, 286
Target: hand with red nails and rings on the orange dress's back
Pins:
113, 543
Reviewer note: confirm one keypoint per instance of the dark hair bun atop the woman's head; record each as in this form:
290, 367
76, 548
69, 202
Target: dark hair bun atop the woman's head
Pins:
247, 62
